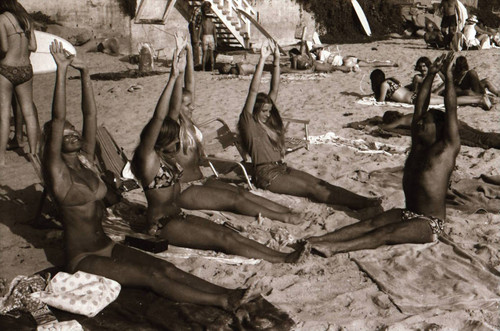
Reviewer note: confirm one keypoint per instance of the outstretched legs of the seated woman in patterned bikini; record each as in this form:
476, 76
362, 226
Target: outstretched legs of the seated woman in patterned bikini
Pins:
196, 232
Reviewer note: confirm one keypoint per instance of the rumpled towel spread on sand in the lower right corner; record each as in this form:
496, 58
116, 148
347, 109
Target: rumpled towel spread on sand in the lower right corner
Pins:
430, 278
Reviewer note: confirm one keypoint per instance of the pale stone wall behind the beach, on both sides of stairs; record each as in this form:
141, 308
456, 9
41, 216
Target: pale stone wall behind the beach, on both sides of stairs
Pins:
106, 19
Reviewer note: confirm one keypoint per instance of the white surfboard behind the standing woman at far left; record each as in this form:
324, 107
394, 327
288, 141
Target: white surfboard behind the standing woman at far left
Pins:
41, 60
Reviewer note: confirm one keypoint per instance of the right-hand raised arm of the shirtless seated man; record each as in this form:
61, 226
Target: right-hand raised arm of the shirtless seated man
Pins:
451, 134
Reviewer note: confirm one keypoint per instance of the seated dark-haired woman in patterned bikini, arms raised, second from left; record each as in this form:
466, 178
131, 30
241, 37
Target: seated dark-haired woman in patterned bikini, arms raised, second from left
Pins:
154, 165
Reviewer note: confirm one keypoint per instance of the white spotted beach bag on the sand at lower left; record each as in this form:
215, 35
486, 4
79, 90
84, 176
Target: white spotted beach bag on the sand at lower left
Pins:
81, 293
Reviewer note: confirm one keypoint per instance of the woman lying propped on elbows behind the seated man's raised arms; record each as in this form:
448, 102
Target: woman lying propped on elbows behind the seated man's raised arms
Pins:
390, 89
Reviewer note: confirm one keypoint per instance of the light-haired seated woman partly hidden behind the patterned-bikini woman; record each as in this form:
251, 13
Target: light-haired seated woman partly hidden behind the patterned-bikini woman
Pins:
200, 193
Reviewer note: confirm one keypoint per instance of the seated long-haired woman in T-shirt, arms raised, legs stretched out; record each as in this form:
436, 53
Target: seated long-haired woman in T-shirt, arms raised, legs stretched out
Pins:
262, 133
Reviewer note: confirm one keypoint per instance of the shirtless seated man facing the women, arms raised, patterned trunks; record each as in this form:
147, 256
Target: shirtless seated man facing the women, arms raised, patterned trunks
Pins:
427, 171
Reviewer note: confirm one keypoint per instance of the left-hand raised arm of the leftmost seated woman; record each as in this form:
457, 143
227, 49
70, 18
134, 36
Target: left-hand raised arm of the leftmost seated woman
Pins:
55, 167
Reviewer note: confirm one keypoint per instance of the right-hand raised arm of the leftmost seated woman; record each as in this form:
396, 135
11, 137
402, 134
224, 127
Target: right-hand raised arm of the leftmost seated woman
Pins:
89, 109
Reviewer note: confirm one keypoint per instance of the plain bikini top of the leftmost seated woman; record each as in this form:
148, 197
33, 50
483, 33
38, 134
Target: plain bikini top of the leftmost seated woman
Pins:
80, 192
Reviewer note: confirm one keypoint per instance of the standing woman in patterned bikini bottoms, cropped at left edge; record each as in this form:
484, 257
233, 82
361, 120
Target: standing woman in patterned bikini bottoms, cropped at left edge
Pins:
17, 41
